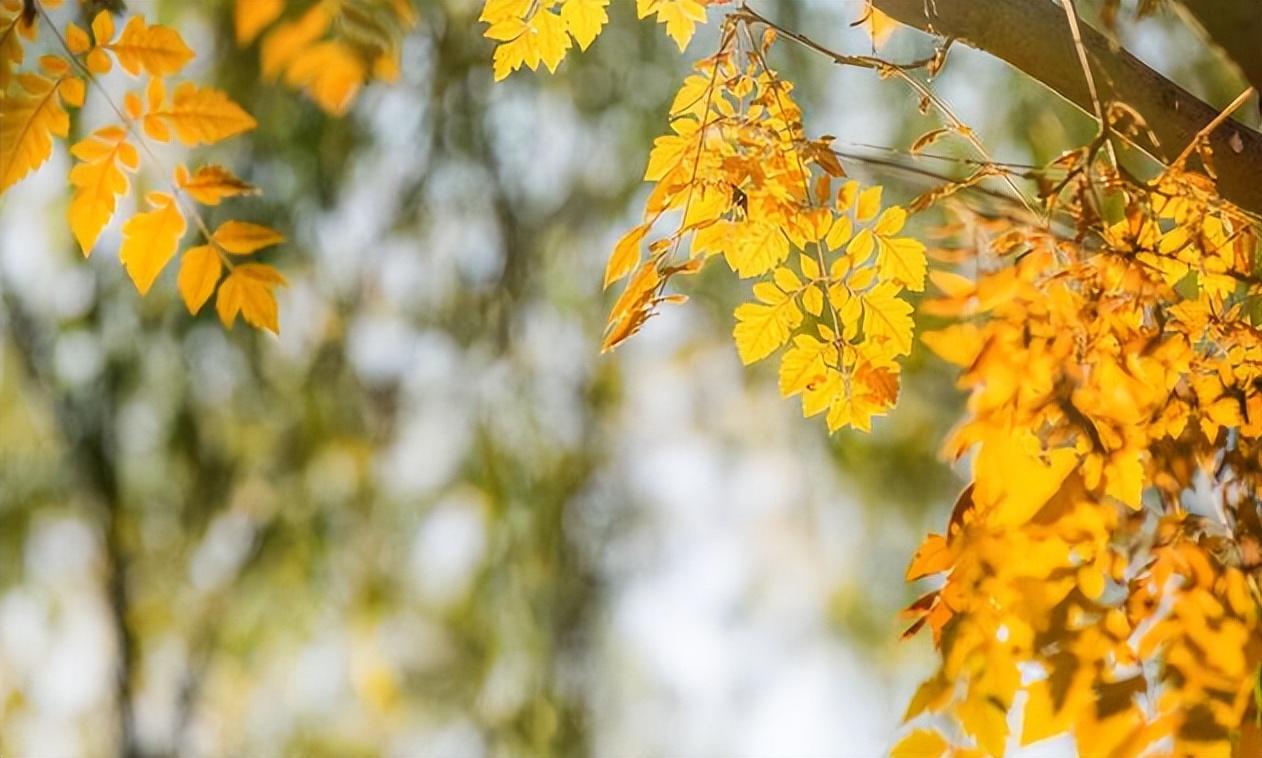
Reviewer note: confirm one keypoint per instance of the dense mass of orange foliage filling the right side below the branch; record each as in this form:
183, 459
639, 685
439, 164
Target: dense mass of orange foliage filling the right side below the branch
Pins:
1120, 361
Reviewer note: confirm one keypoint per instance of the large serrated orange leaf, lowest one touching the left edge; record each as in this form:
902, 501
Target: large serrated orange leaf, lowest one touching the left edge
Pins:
31, 117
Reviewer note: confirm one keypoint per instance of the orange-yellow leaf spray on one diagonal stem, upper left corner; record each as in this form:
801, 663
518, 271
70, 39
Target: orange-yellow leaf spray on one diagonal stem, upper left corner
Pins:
33, 112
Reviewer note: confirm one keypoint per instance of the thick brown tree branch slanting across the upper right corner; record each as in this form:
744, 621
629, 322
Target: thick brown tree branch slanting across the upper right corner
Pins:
1033, 36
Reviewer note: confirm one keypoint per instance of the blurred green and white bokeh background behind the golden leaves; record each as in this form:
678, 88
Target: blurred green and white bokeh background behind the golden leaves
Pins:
432, 519
